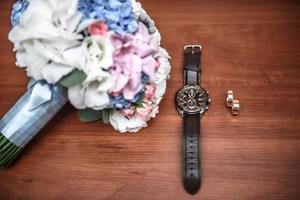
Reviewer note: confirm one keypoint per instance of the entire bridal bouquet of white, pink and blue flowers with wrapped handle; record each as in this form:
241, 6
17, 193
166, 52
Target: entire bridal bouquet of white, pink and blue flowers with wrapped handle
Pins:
103, 56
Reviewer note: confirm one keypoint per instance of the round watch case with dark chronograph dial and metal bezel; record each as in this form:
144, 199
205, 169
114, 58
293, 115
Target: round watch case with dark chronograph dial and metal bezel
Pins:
192, 99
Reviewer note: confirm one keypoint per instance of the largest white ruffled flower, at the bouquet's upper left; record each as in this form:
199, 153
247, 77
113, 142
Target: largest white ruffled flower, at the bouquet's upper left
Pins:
45, 37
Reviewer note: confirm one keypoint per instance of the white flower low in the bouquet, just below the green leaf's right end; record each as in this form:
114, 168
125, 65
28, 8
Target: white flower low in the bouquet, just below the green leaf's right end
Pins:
93, 92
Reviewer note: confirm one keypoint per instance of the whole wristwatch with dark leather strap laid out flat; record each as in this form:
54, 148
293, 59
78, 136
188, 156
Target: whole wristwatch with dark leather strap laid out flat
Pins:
192, 102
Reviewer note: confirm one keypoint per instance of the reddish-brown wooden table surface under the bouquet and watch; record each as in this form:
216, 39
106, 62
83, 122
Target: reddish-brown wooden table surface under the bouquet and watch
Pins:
252, 47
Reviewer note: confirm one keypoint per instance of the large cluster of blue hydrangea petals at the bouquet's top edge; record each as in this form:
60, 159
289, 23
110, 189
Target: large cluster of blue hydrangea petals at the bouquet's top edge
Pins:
117, 14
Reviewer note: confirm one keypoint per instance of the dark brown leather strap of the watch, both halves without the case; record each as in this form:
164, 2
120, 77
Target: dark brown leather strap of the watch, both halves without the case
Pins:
191, 127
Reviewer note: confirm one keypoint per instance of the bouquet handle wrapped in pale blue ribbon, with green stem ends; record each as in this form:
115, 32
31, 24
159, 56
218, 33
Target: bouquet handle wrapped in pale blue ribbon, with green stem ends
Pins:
28, 116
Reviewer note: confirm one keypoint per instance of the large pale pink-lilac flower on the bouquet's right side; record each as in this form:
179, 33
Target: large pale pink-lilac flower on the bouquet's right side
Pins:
134, 56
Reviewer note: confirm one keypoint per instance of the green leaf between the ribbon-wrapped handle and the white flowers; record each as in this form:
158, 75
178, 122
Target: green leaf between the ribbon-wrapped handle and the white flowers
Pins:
74, 78
